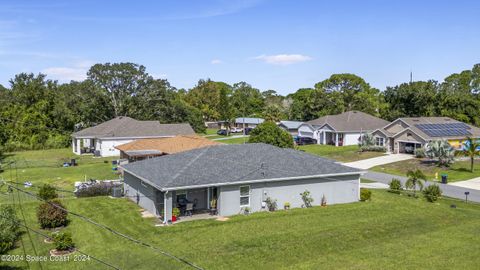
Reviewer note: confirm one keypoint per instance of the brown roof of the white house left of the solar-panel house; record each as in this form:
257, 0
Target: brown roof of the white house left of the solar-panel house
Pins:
351, 121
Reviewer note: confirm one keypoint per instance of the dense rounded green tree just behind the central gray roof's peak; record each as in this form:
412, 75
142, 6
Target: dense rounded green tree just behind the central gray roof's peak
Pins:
270, 133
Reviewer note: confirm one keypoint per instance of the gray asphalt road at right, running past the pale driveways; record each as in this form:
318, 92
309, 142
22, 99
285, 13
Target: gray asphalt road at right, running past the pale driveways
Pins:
448, 190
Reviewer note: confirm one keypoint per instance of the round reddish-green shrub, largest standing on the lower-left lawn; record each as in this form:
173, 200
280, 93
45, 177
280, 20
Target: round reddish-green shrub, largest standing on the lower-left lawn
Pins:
50, 216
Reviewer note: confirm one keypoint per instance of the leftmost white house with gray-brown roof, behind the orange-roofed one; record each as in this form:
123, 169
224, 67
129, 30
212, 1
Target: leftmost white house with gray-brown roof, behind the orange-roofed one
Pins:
102, 139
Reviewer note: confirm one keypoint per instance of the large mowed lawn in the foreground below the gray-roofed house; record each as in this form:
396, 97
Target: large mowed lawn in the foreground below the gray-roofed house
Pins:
390, 232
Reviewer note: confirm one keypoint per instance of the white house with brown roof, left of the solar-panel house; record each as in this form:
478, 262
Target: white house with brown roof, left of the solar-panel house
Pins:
341, 129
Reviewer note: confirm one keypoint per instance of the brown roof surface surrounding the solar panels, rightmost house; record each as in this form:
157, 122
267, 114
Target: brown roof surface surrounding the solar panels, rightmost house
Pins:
411, 122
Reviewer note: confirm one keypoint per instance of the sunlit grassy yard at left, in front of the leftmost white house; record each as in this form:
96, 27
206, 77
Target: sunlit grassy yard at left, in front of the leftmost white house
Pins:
46, 167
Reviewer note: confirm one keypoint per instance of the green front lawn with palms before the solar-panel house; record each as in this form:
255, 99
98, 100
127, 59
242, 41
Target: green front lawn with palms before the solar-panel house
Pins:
458, 171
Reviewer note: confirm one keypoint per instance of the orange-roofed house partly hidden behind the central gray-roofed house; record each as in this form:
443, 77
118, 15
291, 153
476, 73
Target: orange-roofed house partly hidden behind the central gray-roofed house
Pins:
148, 148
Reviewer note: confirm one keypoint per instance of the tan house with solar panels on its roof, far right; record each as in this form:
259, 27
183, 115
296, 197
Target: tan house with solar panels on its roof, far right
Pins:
404, 135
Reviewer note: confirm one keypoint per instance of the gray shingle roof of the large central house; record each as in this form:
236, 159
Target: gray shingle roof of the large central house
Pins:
223, 164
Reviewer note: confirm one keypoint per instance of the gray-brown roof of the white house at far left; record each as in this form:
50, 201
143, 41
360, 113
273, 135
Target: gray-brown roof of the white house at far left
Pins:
126, 127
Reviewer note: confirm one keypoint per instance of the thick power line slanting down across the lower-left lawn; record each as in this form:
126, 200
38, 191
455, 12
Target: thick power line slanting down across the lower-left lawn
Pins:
111, 230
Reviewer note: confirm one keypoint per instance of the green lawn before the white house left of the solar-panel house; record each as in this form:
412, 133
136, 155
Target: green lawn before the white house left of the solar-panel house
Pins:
343, 153
